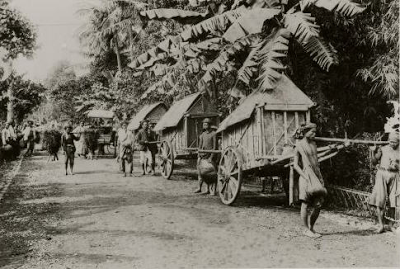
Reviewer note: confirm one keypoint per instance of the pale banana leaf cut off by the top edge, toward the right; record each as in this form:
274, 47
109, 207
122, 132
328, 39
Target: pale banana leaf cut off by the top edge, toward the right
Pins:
345, 7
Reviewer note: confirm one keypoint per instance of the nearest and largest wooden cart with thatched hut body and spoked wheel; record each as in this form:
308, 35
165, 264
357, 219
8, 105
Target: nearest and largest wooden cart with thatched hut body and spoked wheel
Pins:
257, 137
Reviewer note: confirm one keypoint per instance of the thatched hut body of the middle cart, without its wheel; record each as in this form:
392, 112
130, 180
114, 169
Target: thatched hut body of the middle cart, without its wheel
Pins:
182, 124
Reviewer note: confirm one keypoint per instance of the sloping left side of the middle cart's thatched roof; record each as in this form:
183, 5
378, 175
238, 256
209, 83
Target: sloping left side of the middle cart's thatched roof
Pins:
176, 112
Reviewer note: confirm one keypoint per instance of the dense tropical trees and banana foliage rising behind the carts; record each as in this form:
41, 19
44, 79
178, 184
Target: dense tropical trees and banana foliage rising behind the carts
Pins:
229, 48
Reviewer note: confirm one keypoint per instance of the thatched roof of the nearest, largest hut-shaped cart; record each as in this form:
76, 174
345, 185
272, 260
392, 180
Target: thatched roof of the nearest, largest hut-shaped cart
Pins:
286, 96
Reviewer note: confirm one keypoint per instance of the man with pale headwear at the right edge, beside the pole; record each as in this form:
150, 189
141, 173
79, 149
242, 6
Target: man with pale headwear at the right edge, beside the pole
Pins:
386, 179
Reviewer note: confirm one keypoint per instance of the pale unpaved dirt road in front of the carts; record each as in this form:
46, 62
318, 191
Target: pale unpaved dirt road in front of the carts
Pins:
99, 219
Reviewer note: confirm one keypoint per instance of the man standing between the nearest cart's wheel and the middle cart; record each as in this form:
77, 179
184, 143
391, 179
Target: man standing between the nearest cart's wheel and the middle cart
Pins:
207, 141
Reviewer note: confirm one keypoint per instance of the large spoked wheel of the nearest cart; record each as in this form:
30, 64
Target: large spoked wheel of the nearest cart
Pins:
229, 175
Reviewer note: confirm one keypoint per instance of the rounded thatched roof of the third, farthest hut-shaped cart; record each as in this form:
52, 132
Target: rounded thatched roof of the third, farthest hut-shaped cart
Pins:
152, 113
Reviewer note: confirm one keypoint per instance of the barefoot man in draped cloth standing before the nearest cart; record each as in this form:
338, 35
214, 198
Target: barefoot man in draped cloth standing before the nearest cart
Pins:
311, 184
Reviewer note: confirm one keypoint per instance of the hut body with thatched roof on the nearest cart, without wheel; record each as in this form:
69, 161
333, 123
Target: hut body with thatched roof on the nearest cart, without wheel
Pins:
265, 122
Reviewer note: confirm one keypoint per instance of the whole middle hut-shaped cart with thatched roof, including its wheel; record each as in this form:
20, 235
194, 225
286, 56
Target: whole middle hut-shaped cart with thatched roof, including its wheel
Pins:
180, 128
